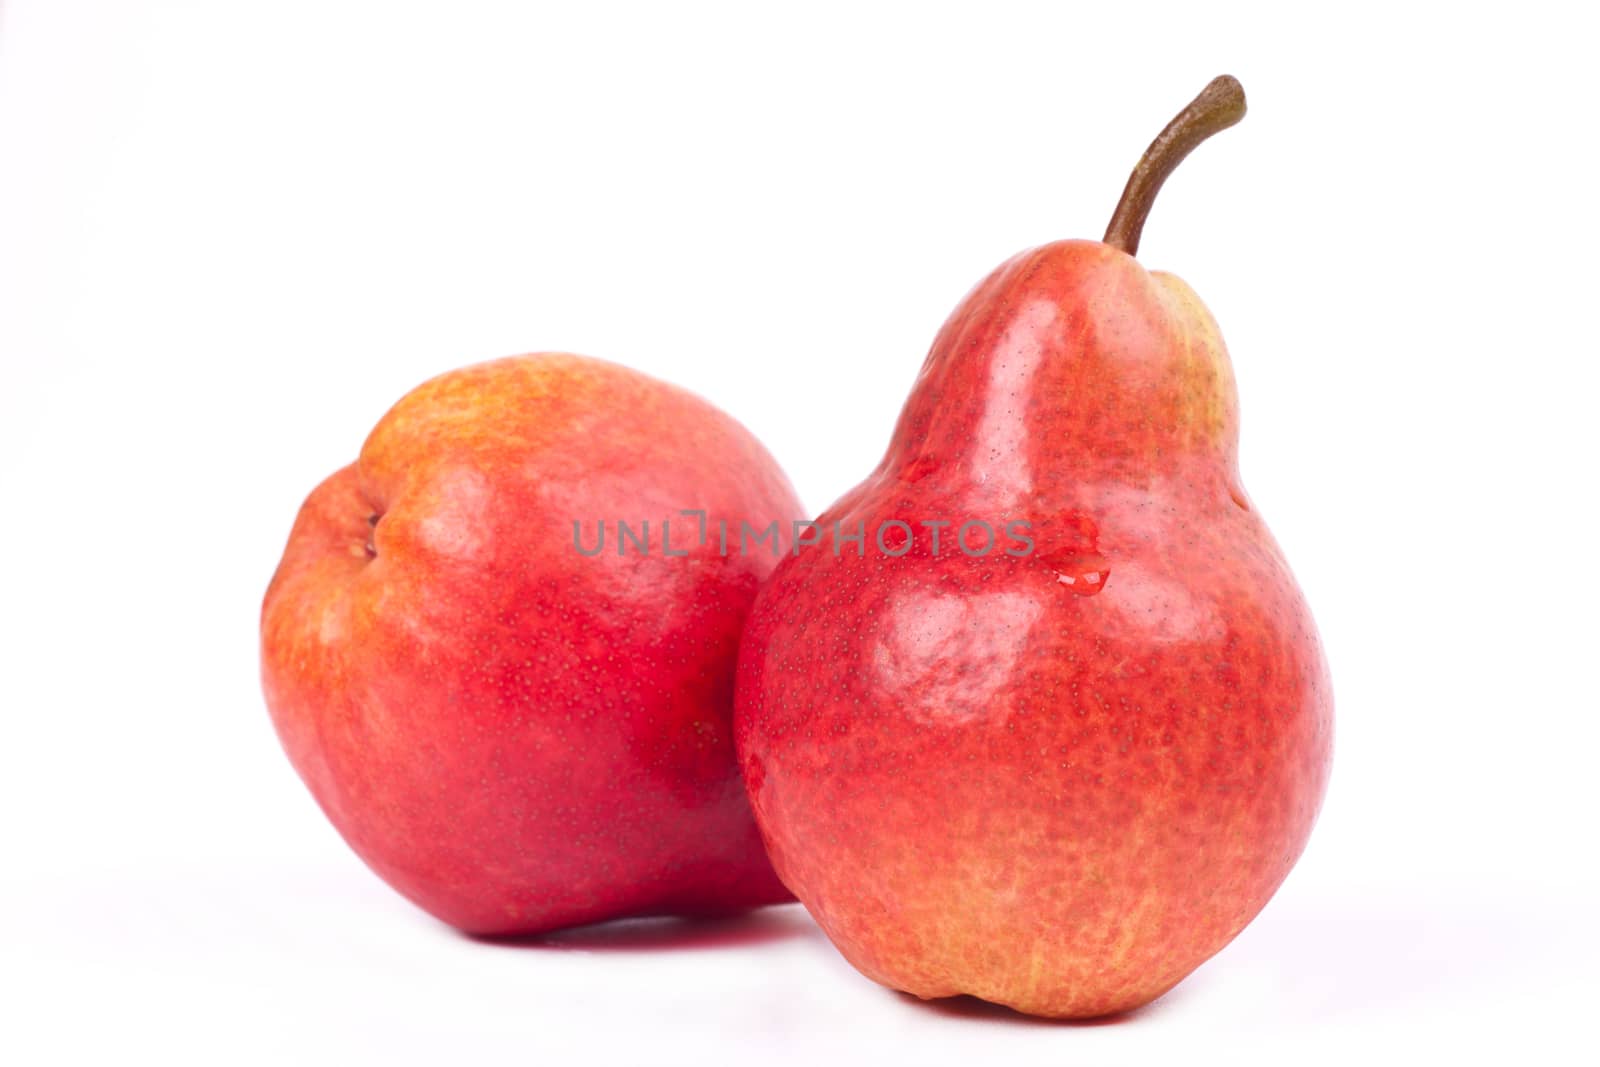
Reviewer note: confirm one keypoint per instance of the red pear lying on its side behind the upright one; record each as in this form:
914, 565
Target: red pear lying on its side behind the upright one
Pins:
514, 735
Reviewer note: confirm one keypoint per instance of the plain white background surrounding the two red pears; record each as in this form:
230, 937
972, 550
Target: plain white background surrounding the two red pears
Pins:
233, 234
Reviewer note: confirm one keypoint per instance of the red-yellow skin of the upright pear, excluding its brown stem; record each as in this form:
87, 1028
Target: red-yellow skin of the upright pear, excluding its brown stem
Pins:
1065, 778
